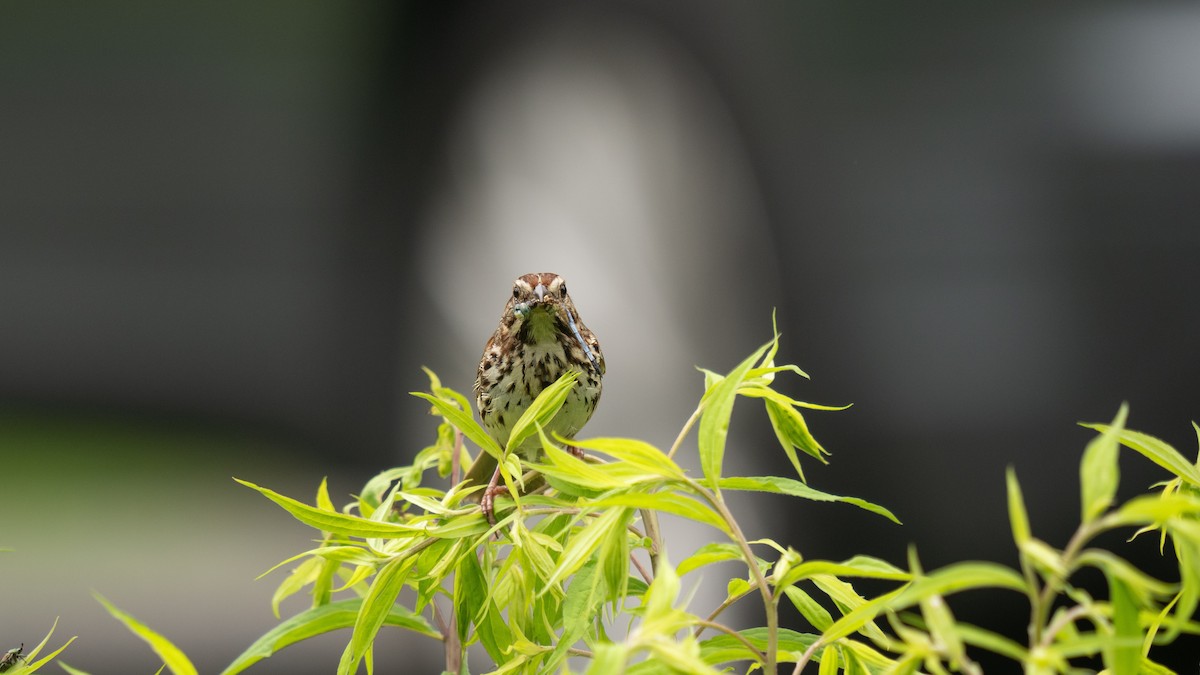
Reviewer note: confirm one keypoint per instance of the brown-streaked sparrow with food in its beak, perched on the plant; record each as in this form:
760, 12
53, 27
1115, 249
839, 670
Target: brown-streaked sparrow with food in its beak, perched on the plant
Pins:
539, 338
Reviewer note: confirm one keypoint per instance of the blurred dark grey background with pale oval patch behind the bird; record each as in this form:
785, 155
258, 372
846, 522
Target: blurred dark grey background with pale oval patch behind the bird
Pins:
232, 234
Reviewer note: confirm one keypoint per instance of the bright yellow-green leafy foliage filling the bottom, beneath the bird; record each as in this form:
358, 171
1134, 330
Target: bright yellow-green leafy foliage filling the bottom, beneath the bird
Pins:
575, 575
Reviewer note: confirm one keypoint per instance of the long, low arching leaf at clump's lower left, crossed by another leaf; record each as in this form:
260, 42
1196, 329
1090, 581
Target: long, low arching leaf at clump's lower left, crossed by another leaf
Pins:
320, 620
